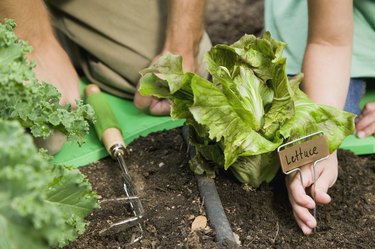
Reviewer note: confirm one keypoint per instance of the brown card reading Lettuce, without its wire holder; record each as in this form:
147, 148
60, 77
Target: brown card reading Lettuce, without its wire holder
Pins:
304, 153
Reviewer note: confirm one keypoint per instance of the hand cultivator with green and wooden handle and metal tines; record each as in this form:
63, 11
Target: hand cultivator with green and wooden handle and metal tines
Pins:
109, 132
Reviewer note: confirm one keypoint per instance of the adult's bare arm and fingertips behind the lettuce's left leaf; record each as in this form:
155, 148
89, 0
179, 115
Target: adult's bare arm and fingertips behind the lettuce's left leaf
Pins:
183, 36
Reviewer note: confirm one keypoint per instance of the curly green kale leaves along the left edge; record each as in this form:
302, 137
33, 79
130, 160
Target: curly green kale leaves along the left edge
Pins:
41, 205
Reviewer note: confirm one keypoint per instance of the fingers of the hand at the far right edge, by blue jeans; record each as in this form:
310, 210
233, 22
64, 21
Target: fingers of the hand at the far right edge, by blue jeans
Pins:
365, 124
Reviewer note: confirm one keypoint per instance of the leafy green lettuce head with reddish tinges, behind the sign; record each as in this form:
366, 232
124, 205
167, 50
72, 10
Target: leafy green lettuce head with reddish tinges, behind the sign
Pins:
248, 109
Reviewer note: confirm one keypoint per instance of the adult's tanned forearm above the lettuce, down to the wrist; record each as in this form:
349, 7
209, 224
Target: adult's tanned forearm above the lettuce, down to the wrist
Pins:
185, 26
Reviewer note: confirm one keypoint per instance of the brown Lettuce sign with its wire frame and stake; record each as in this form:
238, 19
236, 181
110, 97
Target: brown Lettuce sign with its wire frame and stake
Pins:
295, 154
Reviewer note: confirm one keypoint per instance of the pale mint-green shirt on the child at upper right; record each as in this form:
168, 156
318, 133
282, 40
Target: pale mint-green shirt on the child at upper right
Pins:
287, 21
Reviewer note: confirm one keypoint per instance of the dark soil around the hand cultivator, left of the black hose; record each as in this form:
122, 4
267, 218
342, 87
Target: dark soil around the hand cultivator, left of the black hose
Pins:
159, 167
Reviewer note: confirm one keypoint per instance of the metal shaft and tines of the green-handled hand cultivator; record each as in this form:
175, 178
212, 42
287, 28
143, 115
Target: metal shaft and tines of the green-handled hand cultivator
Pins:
117, 152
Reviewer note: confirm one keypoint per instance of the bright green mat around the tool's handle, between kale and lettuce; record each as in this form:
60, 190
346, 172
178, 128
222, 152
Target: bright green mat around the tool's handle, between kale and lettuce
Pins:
134, 124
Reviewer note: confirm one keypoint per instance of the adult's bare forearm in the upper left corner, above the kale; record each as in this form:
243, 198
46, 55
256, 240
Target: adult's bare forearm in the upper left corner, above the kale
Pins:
31, 17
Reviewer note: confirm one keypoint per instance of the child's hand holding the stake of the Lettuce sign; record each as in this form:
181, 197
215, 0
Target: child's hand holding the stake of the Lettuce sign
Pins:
326, 175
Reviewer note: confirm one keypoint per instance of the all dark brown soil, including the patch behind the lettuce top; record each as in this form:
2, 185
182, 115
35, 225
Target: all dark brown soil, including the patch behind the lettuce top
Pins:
261, 218
